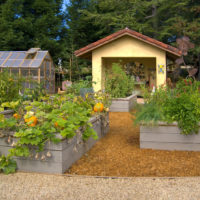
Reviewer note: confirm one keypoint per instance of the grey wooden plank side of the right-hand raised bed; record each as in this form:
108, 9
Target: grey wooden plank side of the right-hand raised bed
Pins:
168, 137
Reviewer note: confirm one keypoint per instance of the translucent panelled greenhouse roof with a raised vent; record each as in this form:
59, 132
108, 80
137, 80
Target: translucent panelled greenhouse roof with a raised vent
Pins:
32, 58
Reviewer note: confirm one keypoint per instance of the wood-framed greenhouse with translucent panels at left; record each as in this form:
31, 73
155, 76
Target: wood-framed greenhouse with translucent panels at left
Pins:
34, 65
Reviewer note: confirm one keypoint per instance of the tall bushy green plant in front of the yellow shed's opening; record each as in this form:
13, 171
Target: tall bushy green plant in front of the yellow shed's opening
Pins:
117, 83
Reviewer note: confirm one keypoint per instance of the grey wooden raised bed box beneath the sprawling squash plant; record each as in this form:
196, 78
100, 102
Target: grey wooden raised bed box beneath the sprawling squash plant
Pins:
60, 156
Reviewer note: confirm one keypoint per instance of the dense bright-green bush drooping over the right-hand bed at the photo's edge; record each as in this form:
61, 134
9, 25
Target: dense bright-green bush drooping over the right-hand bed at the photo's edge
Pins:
183, 106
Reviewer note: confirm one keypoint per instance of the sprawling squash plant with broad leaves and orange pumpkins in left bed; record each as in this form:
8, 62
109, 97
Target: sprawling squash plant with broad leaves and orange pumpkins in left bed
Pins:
52, 118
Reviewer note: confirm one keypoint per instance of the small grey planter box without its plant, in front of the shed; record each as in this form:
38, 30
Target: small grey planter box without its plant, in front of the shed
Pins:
123, 104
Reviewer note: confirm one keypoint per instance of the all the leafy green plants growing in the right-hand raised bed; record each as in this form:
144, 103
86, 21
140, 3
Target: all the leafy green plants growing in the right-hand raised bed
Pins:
180, 104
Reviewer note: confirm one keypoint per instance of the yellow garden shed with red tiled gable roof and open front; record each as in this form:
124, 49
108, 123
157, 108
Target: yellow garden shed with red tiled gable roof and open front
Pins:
144, 56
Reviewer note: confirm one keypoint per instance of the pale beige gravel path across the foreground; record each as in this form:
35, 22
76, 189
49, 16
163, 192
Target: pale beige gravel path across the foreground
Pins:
20, 186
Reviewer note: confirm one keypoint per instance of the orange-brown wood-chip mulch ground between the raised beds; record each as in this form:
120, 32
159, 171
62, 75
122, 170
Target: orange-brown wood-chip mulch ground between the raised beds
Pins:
119, 154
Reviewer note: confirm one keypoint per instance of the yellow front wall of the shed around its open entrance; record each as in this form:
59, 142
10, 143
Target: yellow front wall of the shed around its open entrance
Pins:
126, 47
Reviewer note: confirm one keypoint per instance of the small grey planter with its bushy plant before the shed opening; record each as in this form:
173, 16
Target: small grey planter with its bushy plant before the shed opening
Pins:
121, 88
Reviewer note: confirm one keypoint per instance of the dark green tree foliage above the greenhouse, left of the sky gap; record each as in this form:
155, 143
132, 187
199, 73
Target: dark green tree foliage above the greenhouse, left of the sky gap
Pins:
36, 23
